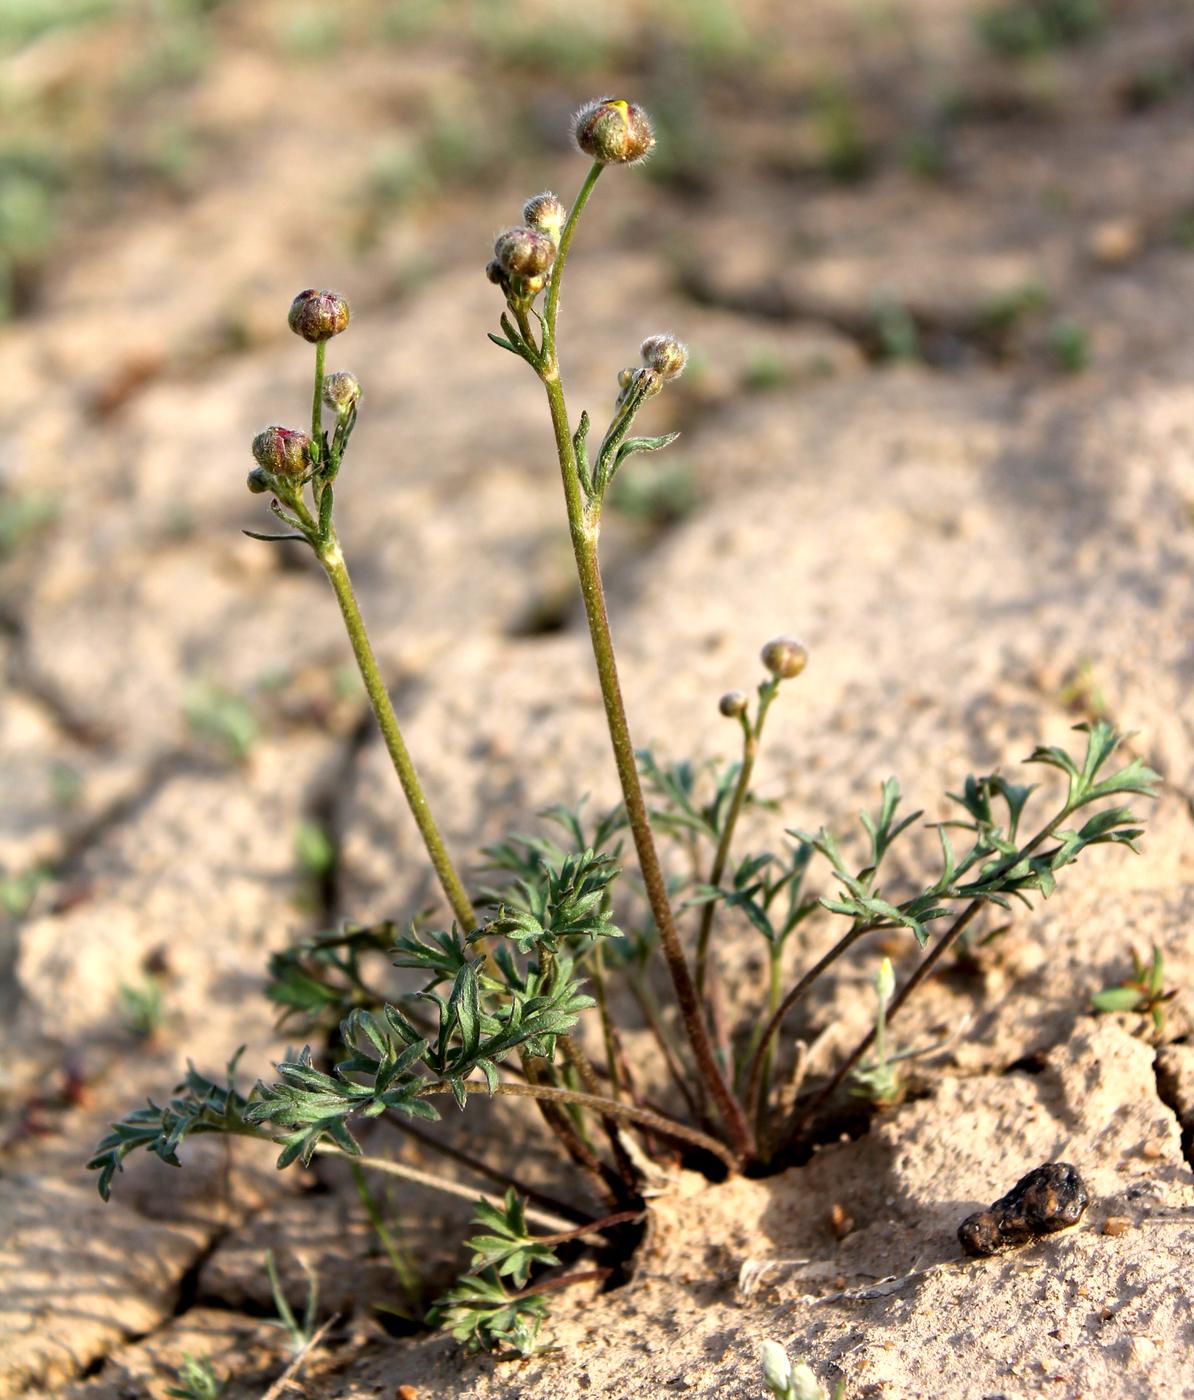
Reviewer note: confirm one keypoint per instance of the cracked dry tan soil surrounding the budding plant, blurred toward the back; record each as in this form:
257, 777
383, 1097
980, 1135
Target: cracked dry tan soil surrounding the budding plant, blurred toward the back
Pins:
936, 265
